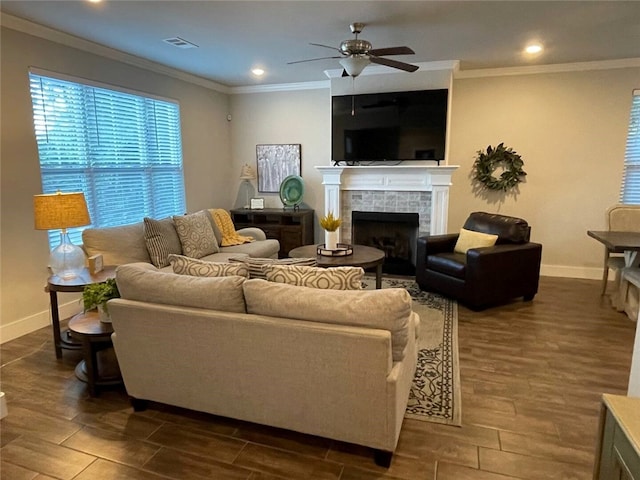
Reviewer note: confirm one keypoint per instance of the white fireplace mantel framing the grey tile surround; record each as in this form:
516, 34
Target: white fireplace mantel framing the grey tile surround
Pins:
399, 178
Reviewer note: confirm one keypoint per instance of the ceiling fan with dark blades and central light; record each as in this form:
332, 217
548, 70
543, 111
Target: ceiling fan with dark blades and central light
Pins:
356, 54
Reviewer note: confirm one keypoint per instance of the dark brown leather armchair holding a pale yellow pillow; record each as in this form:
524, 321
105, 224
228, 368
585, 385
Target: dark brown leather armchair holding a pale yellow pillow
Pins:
482, 277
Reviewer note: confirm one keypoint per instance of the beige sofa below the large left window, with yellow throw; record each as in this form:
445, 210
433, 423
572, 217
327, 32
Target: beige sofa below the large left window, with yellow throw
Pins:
130, 243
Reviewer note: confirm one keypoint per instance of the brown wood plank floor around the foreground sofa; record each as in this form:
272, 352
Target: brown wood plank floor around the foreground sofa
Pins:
532, 375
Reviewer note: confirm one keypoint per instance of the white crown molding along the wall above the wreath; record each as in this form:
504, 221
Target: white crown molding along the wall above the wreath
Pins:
550, 68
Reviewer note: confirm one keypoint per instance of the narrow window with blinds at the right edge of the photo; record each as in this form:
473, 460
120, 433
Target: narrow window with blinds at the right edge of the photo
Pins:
630, 192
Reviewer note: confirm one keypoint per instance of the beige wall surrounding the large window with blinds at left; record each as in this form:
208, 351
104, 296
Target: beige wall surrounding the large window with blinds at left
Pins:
23, 250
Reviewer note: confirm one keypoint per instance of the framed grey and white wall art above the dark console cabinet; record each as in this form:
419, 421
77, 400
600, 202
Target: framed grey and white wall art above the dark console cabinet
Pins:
275, 163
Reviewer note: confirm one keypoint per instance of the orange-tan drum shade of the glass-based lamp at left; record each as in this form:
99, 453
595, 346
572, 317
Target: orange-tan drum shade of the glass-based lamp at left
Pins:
60, 211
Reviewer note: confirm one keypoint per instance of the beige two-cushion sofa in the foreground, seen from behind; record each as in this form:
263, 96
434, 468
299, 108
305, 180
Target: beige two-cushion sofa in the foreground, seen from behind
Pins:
333, 363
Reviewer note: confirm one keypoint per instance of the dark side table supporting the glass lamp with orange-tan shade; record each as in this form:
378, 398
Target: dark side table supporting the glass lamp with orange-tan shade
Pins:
57, 284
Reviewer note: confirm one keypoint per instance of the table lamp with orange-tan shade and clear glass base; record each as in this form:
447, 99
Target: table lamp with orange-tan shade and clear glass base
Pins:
61, 211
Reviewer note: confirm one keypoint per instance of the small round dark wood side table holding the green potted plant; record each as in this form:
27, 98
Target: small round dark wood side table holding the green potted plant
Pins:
100, 366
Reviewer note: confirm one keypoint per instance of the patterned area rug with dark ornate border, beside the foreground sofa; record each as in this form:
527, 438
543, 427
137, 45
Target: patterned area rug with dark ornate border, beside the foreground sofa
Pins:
435, 393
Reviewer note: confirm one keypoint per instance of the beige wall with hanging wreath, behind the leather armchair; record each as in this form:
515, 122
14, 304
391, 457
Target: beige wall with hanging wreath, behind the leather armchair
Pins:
570, 129
